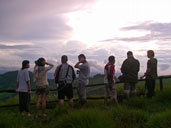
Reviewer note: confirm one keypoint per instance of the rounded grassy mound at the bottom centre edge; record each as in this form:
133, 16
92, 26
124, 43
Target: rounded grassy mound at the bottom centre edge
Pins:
87, 118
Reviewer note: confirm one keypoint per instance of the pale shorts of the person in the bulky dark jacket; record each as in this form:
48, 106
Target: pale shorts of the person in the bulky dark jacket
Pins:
130, 87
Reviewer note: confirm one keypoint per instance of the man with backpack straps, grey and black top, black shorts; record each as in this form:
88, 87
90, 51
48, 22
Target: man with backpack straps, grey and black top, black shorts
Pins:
64, 77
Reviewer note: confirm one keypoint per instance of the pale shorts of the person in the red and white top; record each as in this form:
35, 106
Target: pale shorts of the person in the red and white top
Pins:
110, 90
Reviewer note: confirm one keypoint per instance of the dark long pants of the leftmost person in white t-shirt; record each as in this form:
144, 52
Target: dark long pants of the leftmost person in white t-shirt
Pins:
24, 101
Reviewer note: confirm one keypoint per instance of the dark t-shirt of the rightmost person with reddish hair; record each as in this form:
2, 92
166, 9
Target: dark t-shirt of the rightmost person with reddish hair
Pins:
152, 65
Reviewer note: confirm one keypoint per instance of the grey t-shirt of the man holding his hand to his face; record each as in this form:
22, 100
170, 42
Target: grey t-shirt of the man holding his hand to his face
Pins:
84, 72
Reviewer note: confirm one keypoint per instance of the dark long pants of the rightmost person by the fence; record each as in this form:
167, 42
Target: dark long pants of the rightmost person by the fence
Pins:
150, 85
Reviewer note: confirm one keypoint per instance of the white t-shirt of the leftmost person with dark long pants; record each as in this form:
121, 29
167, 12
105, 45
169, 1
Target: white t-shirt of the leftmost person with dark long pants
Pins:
22, 78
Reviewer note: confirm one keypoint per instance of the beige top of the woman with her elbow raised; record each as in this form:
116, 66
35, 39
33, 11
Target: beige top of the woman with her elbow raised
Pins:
41, 78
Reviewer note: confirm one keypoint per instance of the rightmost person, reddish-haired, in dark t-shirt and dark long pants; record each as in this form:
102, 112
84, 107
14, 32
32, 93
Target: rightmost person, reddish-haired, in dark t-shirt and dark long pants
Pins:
150, 74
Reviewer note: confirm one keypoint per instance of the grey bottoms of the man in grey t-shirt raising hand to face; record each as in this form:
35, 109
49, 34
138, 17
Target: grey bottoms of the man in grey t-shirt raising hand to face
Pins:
82, 92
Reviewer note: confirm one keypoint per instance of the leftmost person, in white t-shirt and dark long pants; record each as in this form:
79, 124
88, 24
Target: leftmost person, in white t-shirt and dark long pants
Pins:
23, 87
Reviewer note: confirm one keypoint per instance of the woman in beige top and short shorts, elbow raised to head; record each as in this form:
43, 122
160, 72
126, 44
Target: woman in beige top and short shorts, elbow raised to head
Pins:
42, 85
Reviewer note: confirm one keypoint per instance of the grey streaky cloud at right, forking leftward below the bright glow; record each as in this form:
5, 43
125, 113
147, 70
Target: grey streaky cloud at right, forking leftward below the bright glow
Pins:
157, 31
